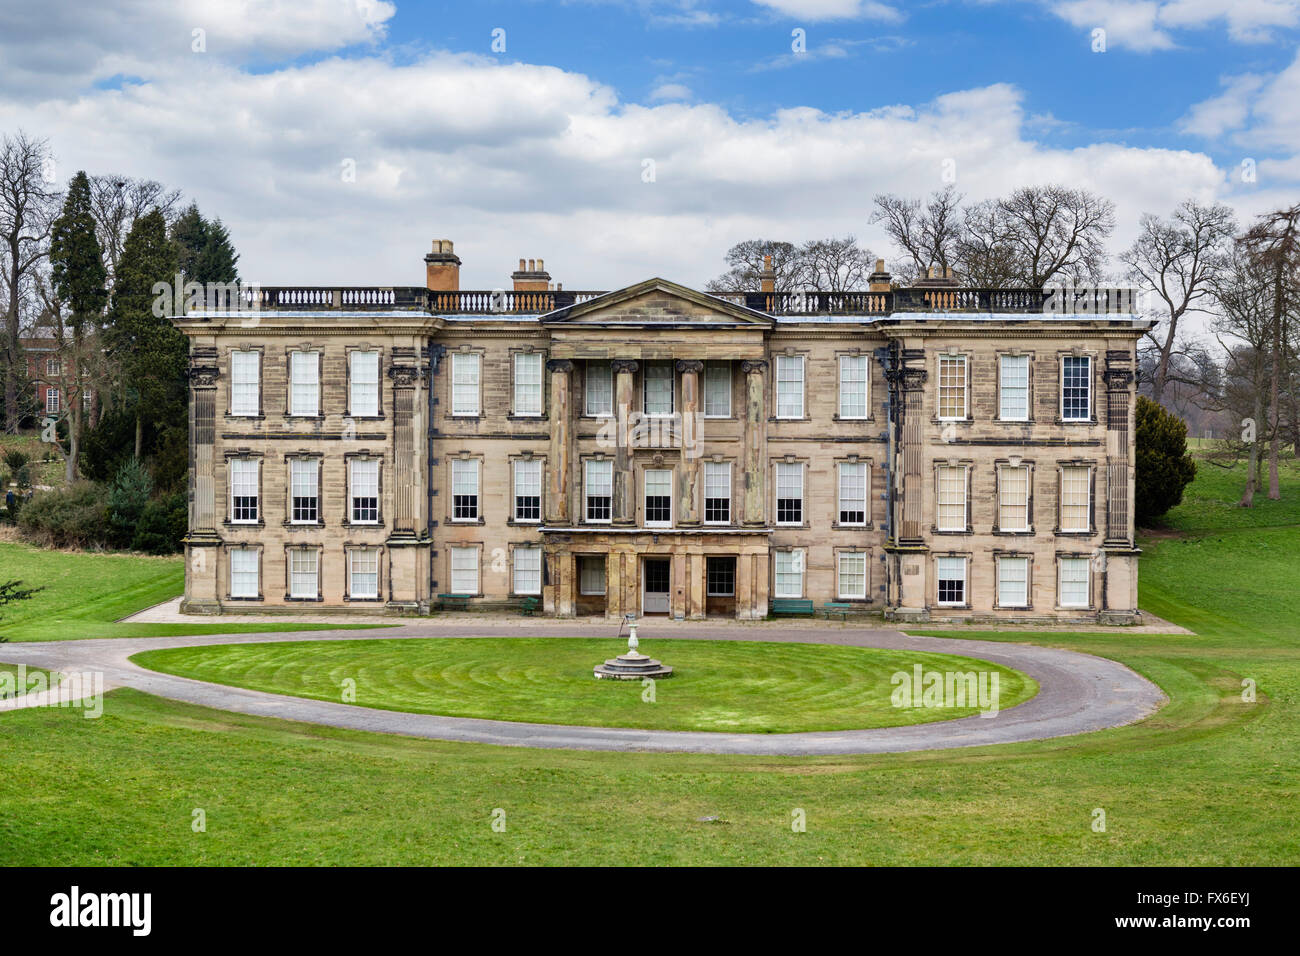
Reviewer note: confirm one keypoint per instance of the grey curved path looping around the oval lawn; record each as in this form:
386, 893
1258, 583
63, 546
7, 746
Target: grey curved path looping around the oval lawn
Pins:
1077, 693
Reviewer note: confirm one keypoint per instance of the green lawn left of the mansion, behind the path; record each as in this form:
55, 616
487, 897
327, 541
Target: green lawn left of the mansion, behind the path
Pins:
85, 594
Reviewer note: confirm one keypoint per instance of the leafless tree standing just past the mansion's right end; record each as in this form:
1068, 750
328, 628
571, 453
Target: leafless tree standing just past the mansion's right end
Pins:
1178, 258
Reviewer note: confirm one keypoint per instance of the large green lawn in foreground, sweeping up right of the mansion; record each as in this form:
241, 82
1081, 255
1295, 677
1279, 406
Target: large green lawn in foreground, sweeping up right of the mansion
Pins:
1208, 781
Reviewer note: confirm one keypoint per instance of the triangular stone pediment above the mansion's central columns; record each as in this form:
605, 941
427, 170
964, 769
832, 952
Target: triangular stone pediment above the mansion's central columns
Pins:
657, 302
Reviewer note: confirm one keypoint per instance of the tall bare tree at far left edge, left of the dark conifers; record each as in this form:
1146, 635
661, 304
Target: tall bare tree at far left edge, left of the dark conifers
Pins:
28, 206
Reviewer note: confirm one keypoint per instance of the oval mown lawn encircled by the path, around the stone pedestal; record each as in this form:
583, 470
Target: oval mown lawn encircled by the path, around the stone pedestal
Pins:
717, 686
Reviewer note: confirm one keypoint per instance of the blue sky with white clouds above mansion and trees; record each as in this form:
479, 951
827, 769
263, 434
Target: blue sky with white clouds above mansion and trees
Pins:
540, 150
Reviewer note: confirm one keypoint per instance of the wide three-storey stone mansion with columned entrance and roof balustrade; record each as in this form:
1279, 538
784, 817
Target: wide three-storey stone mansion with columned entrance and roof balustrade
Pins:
931, 452
